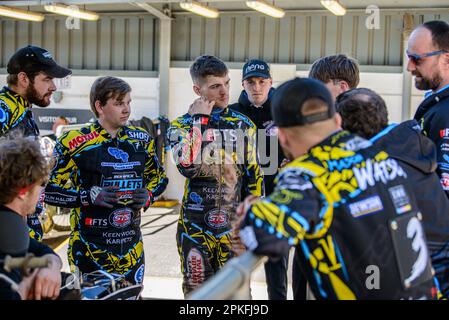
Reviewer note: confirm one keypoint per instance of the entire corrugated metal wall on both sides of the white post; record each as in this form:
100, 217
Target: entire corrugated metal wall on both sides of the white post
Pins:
130, 42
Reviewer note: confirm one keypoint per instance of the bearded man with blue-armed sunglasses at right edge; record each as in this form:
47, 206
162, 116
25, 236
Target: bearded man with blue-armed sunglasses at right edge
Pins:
428, 53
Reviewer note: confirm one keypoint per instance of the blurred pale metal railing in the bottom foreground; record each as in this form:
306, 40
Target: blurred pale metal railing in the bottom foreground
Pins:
232, 282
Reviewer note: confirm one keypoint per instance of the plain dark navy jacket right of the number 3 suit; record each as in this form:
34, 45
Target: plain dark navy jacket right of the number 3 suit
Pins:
417, 153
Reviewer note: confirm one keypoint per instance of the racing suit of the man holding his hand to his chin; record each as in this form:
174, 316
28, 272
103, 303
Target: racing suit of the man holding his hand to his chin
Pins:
217, 154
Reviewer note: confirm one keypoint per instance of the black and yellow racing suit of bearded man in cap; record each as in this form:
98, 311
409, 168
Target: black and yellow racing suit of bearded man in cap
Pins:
16, 120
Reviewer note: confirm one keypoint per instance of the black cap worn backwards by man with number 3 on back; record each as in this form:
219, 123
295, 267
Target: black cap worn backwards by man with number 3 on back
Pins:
289, 98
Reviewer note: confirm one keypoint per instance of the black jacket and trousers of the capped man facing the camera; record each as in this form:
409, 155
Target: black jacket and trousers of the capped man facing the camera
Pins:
270, 157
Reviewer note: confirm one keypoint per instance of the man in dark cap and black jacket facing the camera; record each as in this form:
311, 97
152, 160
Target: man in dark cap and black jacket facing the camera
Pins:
255, 103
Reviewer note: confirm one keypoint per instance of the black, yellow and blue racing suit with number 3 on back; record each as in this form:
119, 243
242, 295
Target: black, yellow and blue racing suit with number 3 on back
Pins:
349, 210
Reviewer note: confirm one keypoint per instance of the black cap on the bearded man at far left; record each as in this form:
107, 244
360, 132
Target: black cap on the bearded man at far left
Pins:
32, 59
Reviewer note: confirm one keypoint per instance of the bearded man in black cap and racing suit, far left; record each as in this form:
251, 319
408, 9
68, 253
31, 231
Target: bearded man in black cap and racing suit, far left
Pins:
31, 71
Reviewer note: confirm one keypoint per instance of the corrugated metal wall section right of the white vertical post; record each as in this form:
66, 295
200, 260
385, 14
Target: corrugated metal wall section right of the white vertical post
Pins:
295, 39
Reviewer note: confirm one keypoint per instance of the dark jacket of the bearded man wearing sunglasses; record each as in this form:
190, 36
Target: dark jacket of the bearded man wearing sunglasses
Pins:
433, 117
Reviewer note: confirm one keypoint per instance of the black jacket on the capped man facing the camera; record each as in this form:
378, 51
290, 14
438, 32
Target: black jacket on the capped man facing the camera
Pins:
262, 118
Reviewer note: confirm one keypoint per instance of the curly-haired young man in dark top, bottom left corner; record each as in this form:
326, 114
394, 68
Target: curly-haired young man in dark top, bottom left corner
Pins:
23, 174
